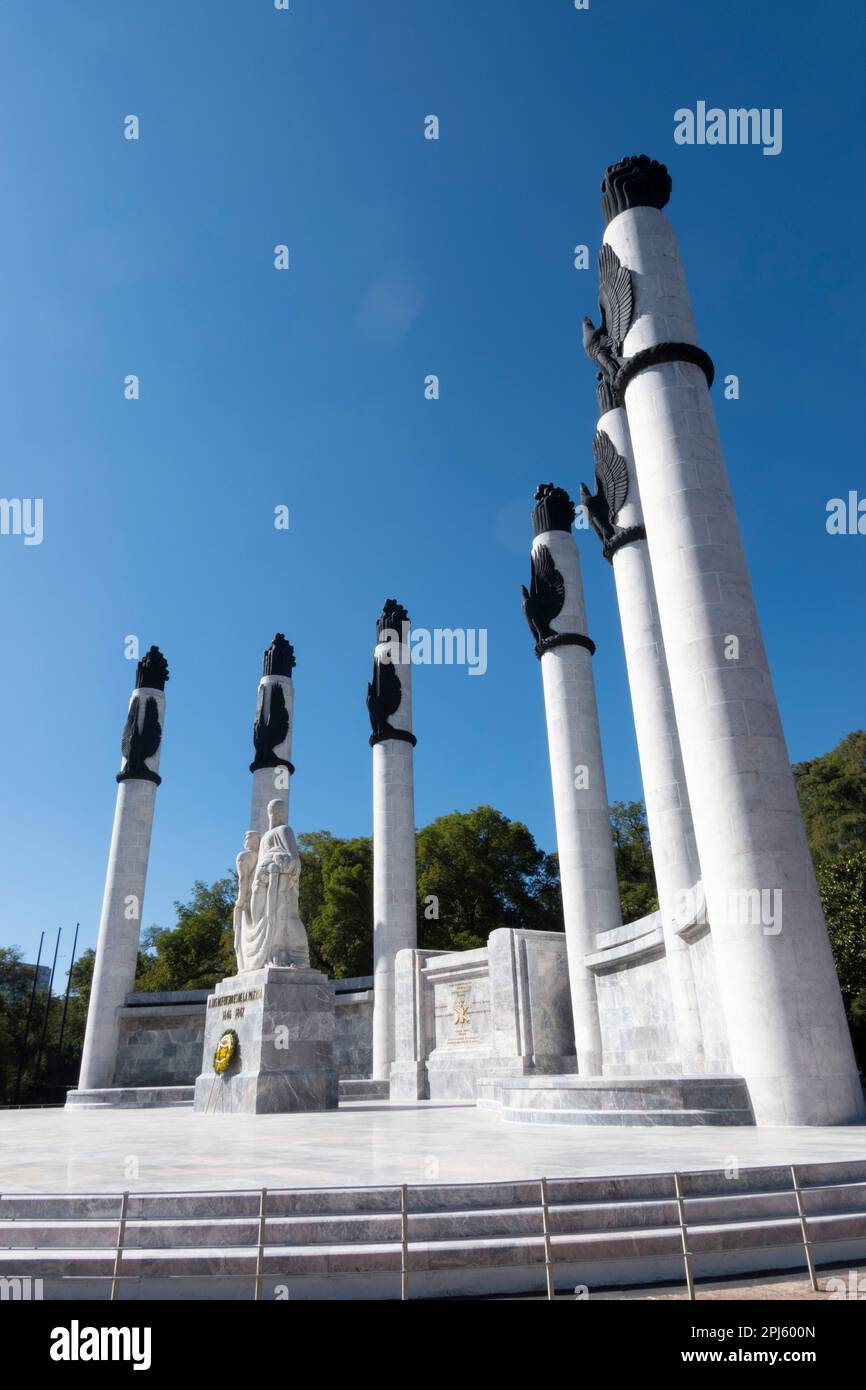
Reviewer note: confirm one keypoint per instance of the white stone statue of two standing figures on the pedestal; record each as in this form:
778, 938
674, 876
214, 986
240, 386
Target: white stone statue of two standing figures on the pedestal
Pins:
268, 925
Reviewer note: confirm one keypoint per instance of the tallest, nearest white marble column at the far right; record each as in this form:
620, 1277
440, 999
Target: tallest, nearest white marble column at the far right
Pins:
774, 961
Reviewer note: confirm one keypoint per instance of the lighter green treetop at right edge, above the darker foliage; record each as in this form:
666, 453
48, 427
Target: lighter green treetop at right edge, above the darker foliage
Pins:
832, 794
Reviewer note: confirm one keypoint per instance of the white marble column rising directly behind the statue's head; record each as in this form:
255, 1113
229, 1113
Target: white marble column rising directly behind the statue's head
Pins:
272, 768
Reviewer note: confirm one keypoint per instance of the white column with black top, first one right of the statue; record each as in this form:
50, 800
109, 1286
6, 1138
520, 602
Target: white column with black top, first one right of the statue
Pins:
394, 824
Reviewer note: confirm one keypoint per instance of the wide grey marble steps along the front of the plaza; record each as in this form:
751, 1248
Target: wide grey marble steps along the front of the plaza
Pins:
476, 1239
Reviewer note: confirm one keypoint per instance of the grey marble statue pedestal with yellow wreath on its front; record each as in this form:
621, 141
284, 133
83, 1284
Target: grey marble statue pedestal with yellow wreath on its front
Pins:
284, 1058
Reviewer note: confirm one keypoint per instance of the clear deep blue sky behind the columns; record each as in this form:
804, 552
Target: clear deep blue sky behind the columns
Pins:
305, 389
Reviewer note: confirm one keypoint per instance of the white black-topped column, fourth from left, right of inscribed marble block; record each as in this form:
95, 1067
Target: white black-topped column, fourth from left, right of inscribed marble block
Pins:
557, 615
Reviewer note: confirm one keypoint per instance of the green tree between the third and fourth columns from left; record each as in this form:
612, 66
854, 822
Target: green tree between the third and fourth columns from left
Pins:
480, 871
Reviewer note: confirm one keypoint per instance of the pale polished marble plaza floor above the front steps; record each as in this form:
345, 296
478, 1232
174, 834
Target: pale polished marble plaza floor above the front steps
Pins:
366, 1143
